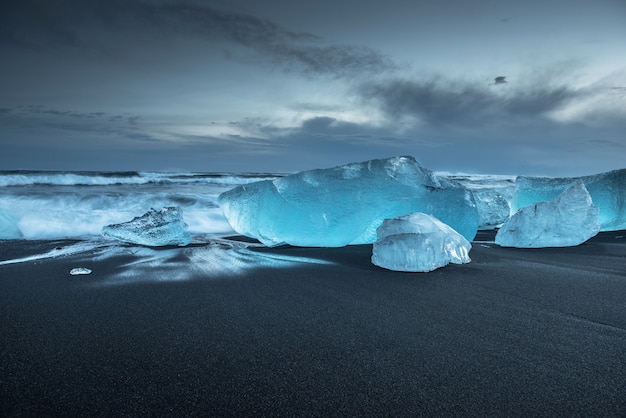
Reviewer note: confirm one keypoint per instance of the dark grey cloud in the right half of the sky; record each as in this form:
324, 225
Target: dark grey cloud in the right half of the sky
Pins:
440, 101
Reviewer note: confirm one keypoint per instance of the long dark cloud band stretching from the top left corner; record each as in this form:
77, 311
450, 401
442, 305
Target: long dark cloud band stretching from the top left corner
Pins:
78, 23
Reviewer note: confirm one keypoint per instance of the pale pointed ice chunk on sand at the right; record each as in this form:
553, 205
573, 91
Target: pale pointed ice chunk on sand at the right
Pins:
570, 219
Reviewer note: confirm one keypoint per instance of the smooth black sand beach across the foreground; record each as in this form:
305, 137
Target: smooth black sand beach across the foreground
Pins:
513, 333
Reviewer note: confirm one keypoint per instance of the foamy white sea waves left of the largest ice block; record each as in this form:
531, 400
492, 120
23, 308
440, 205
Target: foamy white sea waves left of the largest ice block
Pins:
76, 205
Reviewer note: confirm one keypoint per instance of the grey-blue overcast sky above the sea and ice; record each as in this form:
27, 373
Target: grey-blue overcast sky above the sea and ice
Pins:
475, 86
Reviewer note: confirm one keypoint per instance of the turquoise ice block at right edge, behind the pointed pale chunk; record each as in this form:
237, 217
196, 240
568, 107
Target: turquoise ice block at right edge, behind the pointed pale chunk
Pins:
608, 191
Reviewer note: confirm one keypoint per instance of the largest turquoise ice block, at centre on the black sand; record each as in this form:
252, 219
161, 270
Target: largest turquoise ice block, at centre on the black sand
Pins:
344, 205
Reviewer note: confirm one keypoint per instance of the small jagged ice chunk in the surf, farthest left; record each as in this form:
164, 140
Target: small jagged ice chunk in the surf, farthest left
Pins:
156, 228
